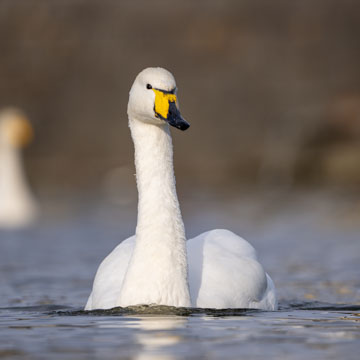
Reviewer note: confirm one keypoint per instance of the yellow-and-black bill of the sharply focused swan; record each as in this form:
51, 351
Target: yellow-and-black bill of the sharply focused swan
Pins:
165, 108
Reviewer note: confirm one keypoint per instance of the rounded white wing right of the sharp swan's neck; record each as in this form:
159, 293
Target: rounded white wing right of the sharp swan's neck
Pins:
224, 272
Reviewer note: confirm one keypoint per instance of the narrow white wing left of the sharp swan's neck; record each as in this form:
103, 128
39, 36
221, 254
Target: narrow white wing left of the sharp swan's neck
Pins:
109, 276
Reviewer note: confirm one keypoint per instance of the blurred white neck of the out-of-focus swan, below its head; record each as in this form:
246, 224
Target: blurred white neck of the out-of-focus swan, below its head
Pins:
16, 202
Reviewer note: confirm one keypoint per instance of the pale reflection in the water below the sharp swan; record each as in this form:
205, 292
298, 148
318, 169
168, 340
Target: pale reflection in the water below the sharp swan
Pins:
156, 335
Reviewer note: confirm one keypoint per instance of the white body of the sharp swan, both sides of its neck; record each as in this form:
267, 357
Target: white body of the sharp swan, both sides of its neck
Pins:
217, 259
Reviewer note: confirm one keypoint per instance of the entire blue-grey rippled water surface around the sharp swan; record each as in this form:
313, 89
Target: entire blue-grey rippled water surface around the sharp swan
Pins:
309, 243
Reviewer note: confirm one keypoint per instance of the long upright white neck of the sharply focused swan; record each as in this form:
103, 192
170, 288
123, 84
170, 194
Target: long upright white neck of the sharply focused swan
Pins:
157, 272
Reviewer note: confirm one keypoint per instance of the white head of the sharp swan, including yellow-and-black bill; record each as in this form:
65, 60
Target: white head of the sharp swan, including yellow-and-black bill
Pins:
153, 99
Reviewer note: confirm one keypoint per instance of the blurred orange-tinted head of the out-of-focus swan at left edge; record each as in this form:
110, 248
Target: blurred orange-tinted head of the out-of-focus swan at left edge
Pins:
15, 128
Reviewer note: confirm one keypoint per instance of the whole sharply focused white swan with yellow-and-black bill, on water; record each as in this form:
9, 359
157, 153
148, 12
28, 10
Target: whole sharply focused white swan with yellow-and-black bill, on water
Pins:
217, 269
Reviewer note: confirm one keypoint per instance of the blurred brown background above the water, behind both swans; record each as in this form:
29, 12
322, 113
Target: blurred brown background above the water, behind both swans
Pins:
271, 89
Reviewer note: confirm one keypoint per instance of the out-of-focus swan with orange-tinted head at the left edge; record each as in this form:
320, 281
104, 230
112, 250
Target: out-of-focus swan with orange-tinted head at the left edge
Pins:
18, 207
